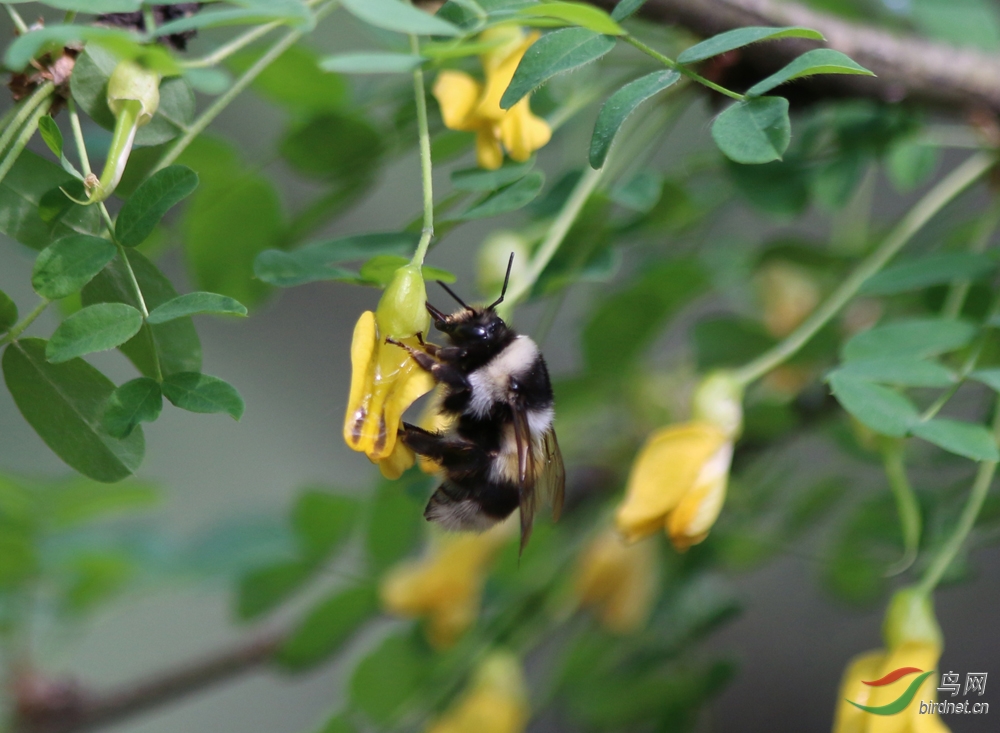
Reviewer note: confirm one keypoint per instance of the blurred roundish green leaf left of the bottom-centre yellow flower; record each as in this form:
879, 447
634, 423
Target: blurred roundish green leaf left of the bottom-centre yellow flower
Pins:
384, 680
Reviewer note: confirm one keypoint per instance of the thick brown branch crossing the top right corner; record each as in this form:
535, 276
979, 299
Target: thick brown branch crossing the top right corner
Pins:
907, 67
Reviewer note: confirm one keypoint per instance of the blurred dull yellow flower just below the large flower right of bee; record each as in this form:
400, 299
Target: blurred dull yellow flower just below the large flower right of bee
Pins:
619, 581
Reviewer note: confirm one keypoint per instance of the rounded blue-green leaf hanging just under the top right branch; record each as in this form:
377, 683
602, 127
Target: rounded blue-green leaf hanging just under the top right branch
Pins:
754, 131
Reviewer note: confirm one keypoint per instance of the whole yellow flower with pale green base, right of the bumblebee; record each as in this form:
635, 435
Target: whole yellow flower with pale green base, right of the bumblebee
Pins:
678, 481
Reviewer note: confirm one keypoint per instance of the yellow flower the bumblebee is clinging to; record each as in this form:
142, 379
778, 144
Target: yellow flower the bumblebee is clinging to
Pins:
385, 379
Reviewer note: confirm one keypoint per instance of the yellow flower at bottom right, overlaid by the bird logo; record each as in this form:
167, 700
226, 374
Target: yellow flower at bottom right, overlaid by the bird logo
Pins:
914, 644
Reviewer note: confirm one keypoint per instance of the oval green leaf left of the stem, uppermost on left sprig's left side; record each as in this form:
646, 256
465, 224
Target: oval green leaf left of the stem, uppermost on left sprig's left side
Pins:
68, 264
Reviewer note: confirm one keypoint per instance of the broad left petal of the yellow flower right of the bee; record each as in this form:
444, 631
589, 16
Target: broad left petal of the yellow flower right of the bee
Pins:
666, 469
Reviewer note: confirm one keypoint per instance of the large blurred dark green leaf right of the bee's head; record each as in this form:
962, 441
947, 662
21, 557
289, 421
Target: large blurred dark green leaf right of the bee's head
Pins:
624, 324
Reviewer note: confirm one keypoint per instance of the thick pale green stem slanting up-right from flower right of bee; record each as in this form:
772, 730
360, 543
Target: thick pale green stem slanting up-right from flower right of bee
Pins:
947, 189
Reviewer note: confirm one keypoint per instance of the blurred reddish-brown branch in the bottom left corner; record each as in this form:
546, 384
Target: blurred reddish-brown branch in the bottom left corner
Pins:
47, 706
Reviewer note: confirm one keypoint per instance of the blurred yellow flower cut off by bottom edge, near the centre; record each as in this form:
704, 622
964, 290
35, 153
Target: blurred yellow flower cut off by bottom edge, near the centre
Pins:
496, 701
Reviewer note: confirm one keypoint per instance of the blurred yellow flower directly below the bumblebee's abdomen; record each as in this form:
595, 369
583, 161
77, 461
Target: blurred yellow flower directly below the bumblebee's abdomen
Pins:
445, 585
